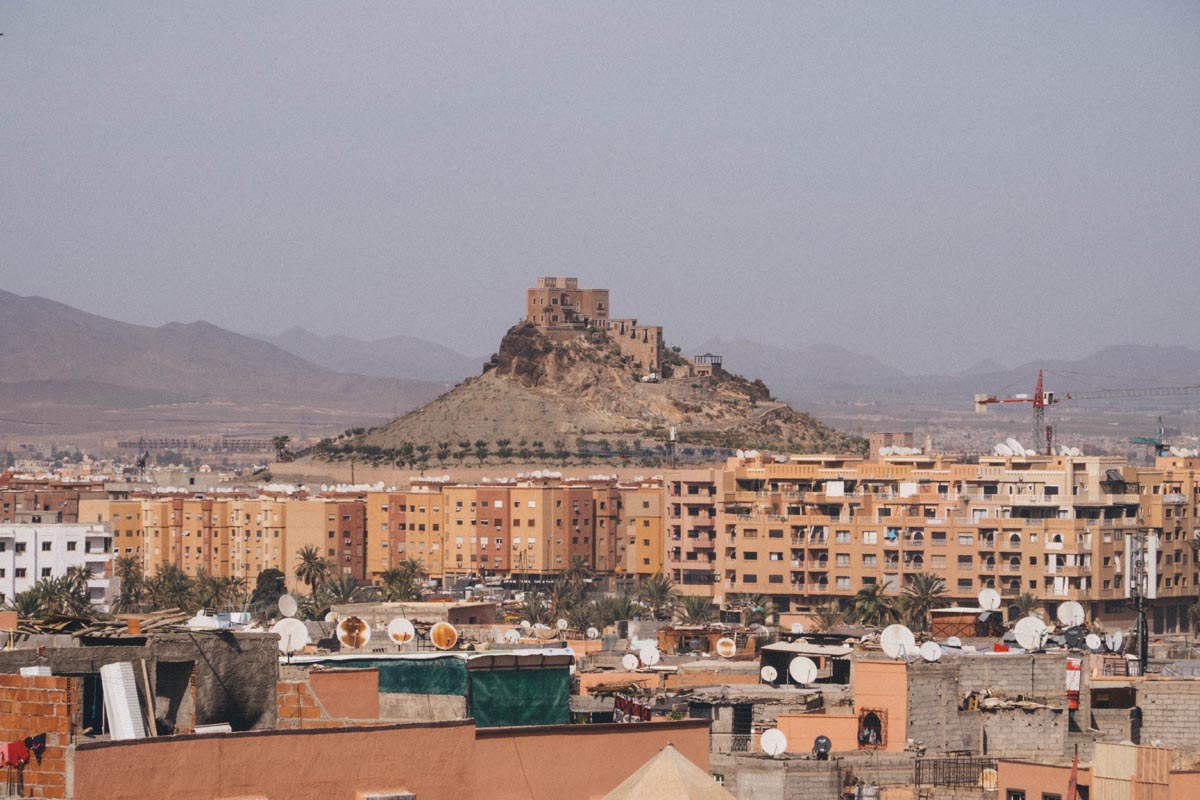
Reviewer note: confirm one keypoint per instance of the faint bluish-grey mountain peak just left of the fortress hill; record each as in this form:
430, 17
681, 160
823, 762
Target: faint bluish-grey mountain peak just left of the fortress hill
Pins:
397, 357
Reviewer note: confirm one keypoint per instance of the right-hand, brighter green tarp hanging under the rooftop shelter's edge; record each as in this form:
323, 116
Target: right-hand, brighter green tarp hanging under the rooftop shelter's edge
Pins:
515, 697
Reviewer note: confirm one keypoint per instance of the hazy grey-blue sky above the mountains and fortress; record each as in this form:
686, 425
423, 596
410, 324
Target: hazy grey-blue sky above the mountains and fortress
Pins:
931, 183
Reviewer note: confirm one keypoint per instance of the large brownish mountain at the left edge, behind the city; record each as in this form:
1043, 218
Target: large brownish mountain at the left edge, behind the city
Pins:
70, 369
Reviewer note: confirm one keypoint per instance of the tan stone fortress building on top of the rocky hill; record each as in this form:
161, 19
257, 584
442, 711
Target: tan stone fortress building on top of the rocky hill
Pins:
561, 310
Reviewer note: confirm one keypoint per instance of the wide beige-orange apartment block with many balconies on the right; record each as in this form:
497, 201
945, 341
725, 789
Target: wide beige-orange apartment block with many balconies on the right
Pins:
819, 528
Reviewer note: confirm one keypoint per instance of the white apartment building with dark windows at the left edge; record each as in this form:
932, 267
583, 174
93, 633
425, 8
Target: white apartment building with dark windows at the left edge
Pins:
33, 552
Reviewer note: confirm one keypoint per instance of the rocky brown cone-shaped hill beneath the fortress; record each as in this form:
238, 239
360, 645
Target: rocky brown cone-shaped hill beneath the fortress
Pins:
538, 390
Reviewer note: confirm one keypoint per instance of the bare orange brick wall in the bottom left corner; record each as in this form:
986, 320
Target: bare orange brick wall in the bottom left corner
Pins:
33, 706
